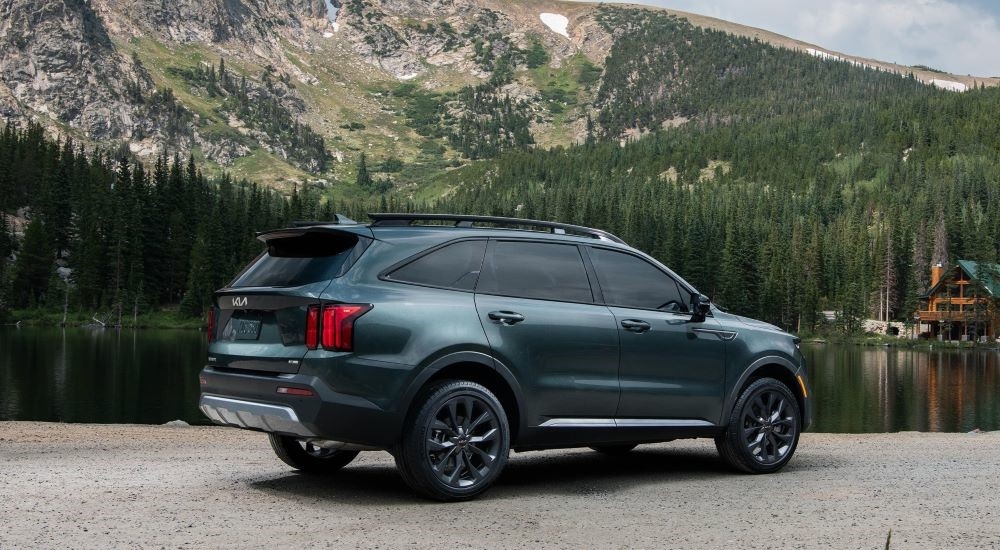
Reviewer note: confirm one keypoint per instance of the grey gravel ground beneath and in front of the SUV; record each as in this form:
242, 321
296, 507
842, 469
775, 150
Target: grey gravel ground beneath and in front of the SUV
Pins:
100, 486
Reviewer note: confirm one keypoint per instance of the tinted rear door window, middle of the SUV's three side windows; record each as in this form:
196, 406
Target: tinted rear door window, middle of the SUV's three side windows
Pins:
546, 271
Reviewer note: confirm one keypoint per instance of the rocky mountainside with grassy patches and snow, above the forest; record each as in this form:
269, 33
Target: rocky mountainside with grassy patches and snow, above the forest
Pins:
284, 91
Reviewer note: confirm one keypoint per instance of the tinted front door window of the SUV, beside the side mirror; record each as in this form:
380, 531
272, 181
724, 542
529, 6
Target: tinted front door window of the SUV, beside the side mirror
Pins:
630, 281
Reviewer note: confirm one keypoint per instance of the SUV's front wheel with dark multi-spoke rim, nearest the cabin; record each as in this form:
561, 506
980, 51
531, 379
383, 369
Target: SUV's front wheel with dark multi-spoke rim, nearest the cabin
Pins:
763, 428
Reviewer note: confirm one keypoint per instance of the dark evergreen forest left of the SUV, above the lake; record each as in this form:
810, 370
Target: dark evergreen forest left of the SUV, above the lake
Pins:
107, 236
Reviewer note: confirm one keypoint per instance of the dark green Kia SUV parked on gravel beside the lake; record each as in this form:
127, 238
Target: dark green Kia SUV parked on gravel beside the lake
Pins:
450, 340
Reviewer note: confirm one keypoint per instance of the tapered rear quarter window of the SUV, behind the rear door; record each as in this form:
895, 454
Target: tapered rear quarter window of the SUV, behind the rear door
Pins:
453, 266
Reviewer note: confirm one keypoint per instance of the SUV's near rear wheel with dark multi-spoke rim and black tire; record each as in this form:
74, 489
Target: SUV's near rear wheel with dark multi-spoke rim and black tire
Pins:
455, 442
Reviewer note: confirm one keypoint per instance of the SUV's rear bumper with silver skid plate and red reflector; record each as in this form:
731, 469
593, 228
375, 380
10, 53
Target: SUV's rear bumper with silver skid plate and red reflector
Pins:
251, 401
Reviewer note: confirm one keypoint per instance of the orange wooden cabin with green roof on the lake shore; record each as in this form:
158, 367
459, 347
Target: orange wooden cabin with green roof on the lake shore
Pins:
962, 303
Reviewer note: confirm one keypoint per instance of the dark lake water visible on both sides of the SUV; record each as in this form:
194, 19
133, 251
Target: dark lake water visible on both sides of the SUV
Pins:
151, 377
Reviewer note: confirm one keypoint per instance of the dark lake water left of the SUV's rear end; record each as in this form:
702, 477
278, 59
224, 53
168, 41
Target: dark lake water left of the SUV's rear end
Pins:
104, 376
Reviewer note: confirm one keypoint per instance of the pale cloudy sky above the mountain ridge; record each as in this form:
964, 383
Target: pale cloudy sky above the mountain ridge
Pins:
957, 36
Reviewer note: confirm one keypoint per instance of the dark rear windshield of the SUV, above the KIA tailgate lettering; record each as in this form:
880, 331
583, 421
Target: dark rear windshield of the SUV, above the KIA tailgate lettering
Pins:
302, 259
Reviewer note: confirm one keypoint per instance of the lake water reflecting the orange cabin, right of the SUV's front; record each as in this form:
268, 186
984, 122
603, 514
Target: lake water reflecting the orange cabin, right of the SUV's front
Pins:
859, 389
